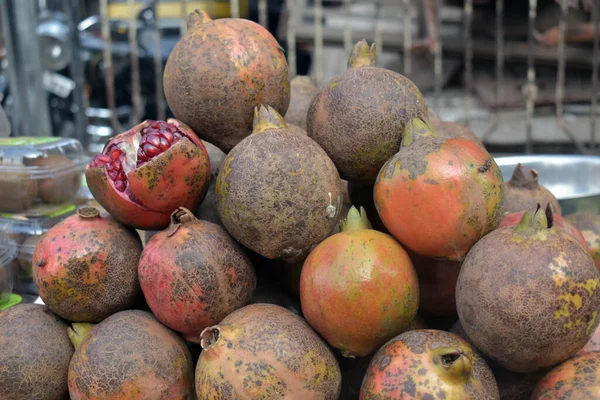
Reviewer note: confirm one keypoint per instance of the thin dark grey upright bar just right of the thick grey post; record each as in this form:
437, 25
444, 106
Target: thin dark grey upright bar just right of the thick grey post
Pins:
77, 74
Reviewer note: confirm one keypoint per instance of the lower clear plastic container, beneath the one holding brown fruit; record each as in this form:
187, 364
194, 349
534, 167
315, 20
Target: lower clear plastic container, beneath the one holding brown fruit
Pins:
25, 229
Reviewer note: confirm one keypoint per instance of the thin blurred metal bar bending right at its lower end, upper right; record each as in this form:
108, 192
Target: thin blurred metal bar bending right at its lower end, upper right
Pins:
560, 79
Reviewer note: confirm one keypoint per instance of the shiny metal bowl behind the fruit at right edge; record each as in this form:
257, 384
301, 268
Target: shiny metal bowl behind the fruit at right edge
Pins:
573, 179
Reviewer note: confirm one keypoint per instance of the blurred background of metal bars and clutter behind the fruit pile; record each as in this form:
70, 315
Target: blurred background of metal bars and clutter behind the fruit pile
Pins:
522, 74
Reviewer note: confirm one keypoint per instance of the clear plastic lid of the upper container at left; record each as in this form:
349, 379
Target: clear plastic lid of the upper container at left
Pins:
41, 157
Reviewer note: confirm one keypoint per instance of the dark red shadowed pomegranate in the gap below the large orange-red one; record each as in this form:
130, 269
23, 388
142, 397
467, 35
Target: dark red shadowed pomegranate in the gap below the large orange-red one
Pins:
437, 285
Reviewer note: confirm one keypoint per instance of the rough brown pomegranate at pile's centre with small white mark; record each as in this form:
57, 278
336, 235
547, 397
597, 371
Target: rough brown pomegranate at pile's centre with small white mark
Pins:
278, 193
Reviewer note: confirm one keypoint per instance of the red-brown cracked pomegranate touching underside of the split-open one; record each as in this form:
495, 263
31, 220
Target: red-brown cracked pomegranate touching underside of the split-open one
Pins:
193, 274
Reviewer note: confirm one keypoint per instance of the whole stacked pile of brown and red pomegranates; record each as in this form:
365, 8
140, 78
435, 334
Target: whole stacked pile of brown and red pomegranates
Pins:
441, 281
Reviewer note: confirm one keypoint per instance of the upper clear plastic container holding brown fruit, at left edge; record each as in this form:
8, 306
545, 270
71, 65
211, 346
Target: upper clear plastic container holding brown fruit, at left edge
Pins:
39, 170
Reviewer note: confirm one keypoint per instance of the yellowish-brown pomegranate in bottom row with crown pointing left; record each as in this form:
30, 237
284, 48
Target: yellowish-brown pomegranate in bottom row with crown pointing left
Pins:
263, 351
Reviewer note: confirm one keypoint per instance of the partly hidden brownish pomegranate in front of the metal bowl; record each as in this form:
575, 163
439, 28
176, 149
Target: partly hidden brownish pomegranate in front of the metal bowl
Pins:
523, 192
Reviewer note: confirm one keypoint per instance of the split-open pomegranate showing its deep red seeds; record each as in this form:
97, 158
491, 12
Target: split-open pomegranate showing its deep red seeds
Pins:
144, 174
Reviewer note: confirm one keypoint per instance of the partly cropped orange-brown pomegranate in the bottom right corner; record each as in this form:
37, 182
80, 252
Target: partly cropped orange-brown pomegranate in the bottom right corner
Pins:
577, 378
